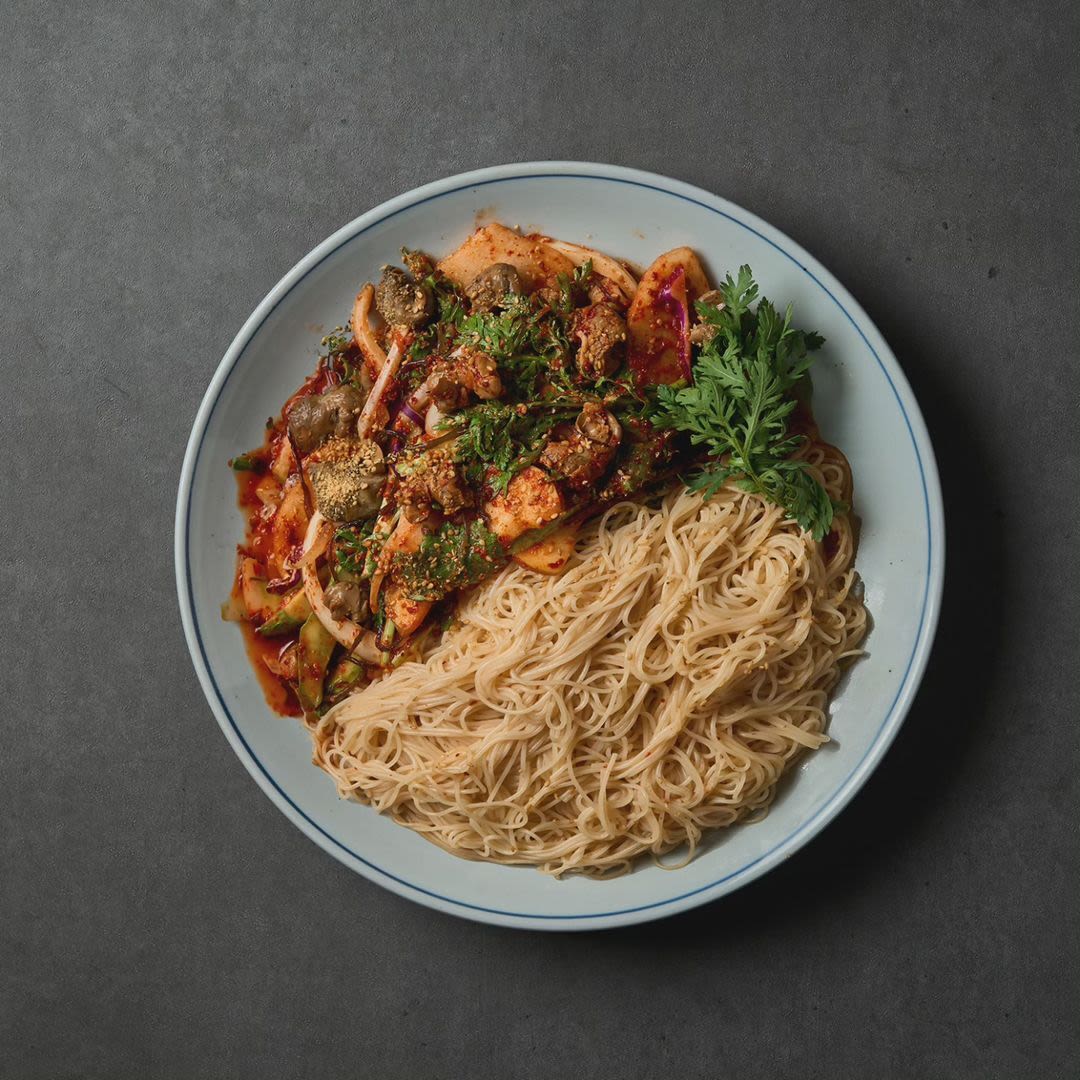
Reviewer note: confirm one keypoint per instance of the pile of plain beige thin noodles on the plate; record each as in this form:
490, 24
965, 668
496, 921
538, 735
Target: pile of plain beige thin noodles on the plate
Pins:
657, 690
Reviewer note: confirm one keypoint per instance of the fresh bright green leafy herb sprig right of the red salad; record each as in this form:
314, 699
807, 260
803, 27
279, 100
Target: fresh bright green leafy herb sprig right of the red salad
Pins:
740, 403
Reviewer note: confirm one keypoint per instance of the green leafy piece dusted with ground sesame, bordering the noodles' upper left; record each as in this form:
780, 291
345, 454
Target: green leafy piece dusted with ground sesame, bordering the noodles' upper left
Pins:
454, 558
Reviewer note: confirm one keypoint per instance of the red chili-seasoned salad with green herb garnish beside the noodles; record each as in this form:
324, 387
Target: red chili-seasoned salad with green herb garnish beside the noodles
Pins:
481, 410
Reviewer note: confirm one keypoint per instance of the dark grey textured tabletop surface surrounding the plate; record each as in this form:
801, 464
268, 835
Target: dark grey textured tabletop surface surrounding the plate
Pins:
161, 166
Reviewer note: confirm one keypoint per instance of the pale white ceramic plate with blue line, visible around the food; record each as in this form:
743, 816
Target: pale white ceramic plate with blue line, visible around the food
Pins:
863, 404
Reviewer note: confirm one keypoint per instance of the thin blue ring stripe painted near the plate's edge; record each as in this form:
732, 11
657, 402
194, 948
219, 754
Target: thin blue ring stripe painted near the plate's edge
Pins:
590, 915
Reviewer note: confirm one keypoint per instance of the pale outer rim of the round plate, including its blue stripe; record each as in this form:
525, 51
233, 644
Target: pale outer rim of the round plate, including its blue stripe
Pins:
933, 497
